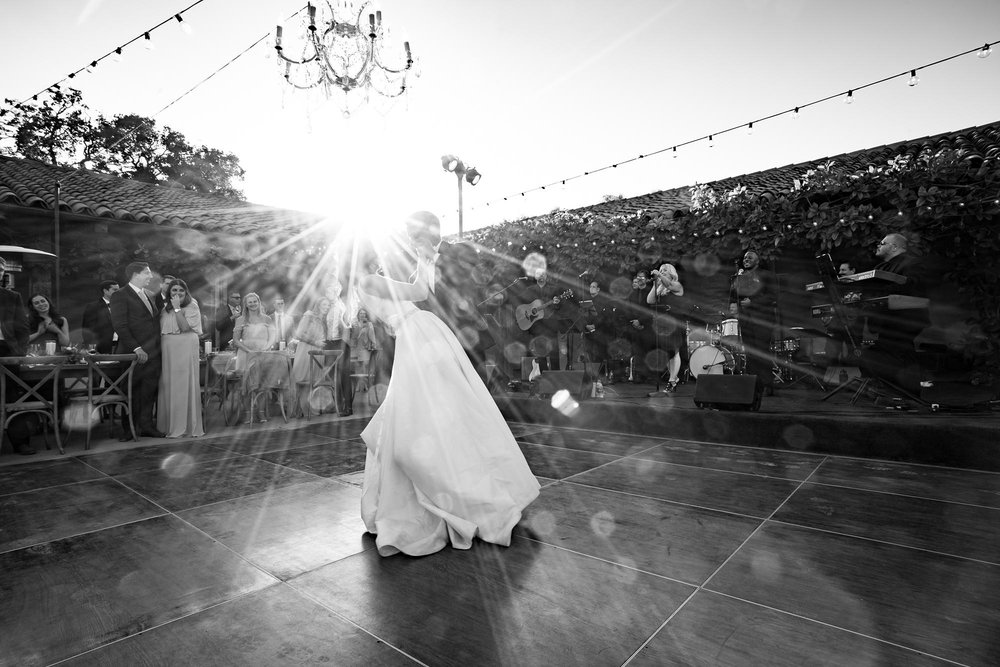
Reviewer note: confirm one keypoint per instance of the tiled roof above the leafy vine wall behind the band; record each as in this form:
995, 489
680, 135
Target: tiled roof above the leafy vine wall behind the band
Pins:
977, 142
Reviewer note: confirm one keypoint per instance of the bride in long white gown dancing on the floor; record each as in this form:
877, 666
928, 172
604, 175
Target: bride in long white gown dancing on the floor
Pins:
442, 465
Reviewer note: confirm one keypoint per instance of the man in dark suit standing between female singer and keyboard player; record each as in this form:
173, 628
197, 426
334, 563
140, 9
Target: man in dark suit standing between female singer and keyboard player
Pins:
753, 297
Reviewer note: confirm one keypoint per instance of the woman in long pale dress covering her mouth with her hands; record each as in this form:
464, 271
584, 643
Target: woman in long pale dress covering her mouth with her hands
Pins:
178, 409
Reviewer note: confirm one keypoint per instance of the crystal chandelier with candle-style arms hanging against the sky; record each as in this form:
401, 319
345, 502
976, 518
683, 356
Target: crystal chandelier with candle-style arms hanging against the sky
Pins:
344, 52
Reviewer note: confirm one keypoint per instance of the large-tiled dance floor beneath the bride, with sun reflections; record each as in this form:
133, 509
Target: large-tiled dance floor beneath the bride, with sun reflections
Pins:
249, 550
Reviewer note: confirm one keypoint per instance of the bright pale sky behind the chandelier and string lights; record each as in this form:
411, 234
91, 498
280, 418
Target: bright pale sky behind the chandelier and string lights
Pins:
531, 92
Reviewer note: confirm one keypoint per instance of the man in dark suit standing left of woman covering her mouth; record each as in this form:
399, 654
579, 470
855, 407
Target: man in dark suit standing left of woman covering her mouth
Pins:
138, 325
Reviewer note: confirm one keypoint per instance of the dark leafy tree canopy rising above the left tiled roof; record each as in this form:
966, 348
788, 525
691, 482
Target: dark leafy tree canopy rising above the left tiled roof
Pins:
60, 131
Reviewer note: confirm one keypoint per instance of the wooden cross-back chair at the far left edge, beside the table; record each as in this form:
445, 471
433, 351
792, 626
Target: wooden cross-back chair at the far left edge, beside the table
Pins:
33, 400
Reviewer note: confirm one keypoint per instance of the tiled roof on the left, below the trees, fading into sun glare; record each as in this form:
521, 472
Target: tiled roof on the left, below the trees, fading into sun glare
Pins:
31, 184
